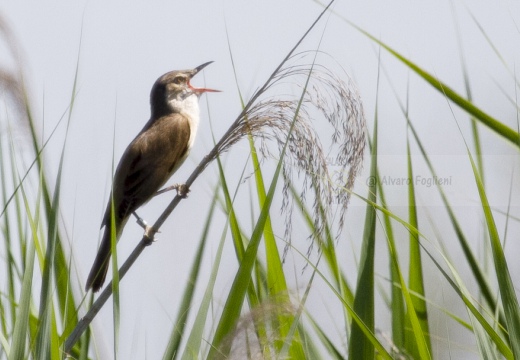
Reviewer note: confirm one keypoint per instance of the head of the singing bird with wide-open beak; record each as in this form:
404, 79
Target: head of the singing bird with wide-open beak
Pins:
173, 90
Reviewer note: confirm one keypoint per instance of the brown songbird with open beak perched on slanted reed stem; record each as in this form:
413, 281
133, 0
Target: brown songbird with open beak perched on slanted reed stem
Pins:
151, 158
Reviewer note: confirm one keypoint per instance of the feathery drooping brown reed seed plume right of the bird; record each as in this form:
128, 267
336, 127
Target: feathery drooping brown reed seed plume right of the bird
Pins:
327, 168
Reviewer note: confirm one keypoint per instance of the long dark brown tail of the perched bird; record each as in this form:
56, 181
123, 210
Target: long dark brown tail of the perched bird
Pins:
99, 270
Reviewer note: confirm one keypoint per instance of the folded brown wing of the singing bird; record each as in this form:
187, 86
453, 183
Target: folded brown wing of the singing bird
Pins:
147, 163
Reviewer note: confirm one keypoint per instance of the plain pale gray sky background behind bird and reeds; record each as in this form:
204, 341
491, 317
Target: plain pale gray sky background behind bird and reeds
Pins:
123, 47
